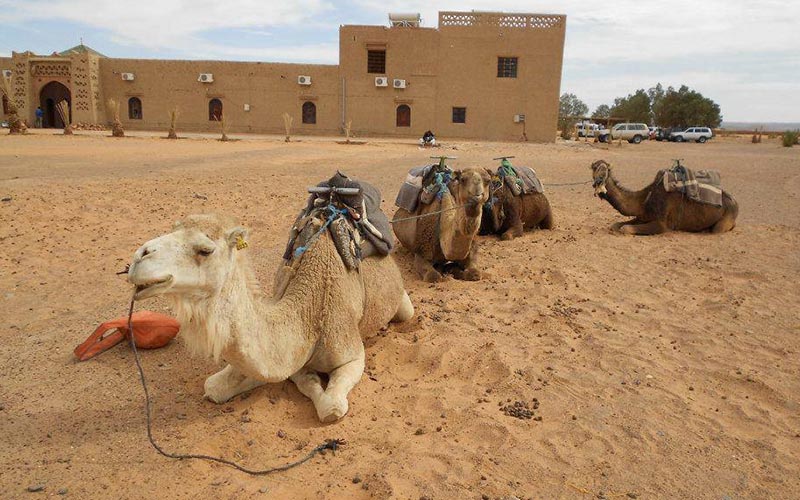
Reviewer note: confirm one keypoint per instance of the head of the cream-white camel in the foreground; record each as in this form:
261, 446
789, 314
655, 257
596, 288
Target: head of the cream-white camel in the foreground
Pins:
194, 260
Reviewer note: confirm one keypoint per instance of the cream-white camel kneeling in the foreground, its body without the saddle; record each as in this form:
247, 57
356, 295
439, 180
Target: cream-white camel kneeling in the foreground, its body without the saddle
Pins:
313, 324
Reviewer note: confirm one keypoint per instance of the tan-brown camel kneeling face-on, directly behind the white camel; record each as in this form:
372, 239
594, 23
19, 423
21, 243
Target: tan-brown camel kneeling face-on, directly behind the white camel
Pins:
448, 237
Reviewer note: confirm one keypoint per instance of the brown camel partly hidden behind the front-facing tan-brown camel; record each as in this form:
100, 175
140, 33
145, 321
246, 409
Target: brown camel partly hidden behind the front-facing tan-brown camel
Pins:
509, 215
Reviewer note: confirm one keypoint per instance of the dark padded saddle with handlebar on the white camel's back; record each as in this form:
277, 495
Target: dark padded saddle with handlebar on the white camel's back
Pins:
350, 211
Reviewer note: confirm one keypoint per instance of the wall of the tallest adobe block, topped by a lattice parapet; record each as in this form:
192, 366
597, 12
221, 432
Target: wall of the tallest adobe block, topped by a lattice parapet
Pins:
468, 74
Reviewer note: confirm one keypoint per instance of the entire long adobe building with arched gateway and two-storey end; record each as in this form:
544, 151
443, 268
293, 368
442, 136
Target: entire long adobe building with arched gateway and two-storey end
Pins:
479, 75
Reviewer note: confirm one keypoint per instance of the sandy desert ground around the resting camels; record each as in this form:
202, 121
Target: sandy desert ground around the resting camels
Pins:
664, 367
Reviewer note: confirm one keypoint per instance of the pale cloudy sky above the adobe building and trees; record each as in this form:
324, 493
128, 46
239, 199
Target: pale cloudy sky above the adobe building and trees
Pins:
744, 55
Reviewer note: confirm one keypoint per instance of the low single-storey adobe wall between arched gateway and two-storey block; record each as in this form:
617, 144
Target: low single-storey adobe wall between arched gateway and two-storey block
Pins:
270, 89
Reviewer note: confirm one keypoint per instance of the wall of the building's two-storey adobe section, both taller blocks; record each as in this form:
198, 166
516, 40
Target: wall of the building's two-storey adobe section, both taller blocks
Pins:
456, 66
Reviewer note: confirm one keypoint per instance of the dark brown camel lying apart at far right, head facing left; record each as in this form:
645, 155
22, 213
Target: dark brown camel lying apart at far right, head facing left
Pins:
655, 211
